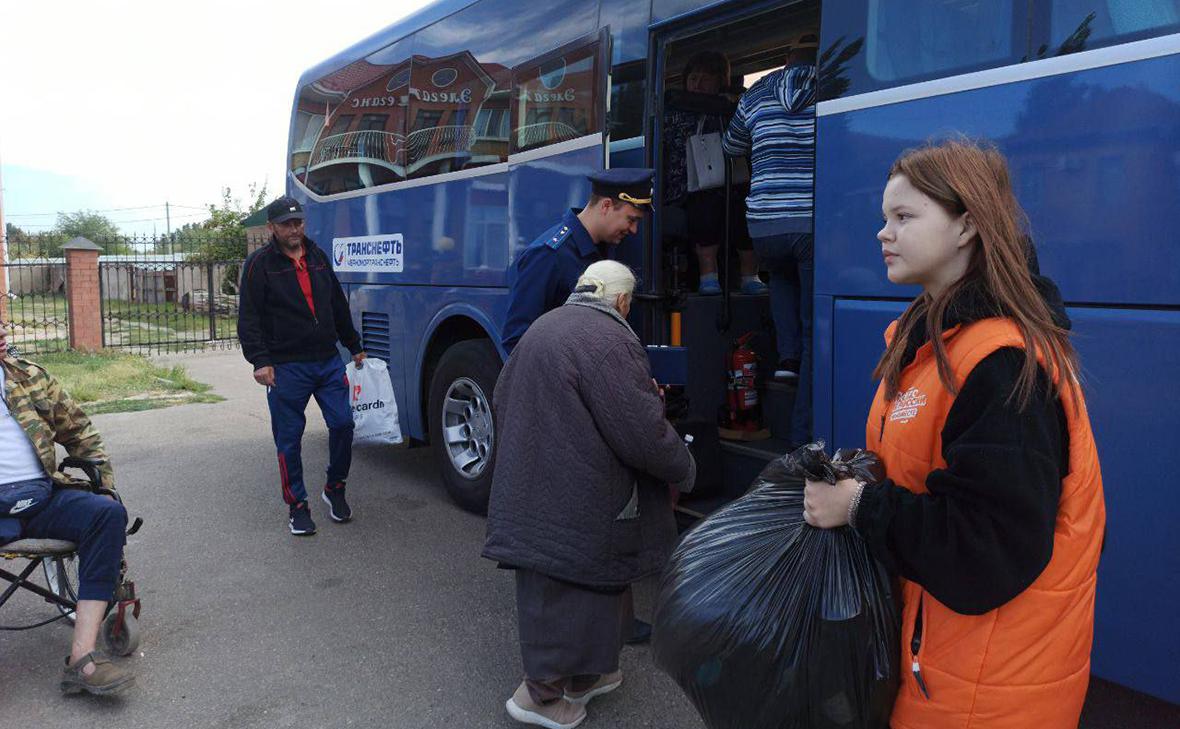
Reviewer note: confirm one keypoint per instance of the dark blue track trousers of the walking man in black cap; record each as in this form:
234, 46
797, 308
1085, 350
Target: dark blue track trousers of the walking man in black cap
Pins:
296, 383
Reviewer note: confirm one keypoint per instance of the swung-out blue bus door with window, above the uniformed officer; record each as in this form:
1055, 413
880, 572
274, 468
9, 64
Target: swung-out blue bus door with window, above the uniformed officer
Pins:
560, 134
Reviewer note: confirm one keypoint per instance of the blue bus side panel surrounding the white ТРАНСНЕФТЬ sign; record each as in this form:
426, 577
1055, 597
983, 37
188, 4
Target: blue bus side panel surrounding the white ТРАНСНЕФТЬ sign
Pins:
454, 233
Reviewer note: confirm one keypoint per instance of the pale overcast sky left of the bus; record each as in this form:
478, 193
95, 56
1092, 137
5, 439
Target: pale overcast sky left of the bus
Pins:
129, 104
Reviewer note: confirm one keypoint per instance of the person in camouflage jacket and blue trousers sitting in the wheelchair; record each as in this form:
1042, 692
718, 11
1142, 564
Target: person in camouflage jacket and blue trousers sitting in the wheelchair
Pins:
38, 502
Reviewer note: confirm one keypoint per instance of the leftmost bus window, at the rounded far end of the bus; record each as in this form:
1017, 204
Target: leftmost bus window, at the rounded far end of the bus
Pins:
350, 126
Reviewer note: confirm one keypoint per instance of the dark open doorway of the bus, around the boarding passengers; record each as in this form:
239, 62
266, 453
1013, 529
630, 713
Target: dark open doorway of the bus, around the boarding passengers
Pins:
699, 229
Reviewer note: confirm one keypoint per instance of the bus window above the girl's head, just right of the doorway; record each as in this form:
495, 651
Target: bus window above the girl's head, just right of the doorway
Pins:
868, 45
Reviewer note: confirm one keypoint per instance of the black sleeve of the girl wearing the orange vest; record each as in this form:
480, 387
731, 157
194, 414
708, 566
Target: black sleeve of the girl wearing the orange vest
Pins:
985, 531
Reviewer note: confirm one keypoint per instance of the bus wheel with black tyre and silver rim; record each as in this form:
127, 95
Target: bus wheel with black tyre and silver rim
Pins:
463, 434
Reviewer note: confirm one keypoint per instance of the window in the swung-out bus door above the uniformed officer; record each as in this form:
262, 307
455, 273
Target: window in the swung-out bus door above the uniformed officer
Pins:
556, 98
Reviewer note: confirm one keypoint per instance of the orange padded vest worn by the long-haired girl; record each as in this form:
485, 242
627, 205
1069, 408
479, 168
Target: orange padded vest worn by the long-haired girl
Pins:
1027, 664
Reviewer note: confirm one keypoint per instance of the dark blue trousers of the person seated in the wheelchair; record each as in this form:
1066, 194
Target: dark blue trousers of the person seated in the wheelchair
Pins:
97, 526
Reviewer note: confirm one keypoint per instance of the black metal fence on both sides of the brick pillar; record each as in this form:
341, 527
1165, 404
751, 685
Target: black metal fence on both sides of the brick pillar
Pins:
173, 294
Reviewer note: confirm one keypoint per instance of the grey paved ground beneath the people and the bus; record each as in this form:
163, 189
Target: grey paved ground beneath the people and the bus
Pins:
392, 621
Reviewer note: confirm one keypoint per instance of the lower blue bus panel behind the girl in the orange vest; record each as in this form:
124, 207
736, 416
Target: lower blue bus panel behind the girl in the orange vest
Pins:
1130, 363
